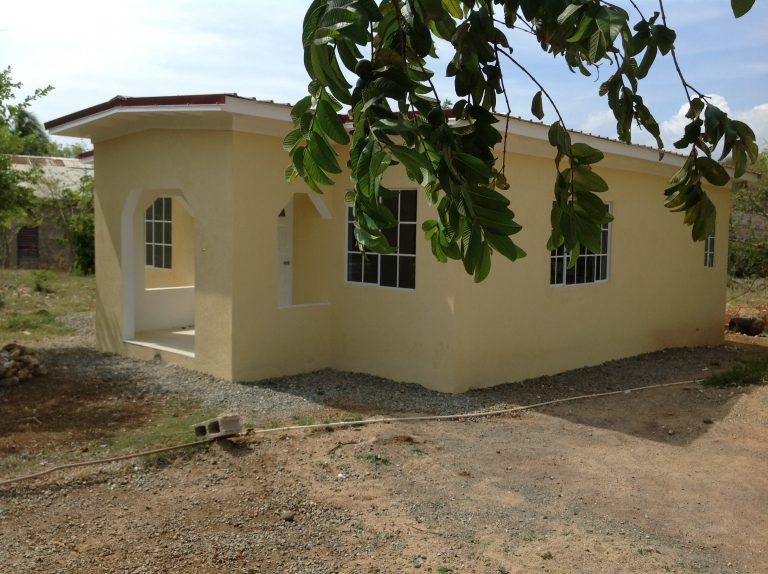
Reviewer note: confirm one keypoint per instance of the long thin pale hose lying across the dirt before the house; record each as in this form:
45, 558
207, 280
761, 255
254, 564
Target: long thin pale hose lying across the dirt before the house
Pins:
388, 420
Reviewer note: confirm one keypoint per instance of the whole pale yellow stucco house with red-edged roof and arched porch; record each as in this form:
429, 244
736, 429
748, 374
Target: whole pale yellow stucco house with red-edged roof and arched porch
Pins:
207, 258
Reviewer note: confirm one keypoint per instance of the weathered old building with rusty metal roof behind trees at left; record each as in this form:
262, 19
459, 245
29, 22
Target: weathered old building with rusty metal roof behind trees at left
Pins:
41, 244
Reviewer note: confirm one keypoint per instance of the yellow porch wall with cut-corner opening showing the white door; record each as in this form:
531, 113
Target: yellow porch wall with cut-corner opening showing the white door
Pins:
268, 340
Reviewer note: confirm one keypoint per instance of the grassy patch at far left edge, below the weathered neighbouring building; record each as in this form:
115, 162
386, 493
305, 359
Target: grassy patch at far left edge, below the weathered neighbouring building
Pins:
31, 302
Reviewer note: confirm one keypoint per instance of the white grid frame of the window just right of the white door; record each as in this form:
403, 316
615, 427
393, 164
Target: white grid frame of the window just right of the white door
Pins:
351, 250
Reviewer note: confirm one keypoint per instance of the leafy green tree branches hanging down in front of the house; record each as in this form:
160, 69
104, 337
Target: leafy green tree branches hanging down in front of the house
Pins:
392, 115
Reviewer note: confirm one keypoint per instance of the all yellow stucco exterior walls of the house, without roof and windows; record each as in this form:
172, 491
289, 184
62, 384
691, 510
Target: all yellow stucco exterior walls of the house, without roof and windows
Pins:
449, 333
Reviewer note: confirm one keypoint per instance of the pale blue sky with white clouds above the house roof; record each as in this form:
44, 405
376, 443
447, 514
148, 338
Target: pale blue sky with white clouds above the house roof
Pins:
91, 51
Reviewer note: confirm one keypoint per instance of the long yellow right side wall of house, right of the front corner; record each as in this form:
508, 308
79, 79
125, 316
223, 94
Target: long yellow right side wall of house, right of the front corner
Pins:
658, 294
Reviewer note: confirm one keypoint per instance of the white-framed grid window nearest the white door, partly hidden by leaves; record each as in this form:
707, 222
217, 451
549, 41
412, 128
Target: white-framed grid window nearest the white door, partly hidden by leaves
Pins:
392, 270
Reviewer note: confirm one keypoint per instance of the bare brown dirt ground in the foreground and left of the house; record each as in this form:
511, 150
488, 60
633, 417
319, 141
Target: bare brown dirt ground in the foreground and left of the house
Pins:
665, 480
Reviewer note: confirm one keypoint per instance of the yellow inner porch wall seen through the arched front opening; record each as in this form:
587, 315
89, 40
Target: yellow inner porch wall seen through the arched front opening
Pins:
182, 271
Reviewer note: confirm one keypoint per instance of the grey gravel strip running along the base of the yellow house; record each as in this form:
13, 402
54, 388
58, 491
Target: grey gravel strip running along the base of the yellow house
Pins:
283, 397
